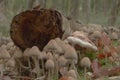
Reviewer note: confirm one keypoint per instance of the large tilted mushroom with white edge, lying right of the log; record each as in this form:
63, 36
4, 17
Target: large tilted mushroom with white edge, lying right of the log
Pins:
78, 38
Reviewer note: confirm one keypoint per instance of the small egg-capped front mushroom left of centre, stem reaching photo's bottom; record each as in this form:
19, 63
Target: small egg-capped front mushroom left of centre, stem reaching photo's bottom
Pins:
49, 65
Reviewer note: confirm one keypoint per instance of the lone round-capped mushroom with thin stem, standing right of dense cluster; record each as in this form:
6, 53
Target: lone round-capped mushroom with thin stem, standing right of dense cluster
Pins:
86, 63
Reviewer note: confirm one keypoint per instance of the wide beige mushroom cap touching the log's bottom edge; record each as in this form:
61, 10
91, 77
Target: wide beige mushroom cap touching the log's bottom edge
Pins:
34, 51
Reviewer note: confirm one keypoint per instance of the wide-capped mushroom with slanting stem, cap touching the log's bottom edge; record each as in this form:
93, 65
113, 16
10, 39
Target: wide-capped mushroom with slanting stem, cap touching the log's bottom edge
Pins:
34, 52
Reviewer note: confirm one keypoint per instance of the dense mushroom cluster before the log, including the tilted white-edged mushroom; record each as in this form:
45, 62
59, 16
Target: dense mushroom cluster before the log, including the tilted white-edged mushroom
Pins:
56, 55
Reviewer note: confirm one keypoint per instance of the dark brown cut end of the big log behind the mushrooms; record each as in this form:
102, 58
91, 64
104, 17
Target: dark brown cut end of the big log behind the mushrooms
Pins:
36, 28
